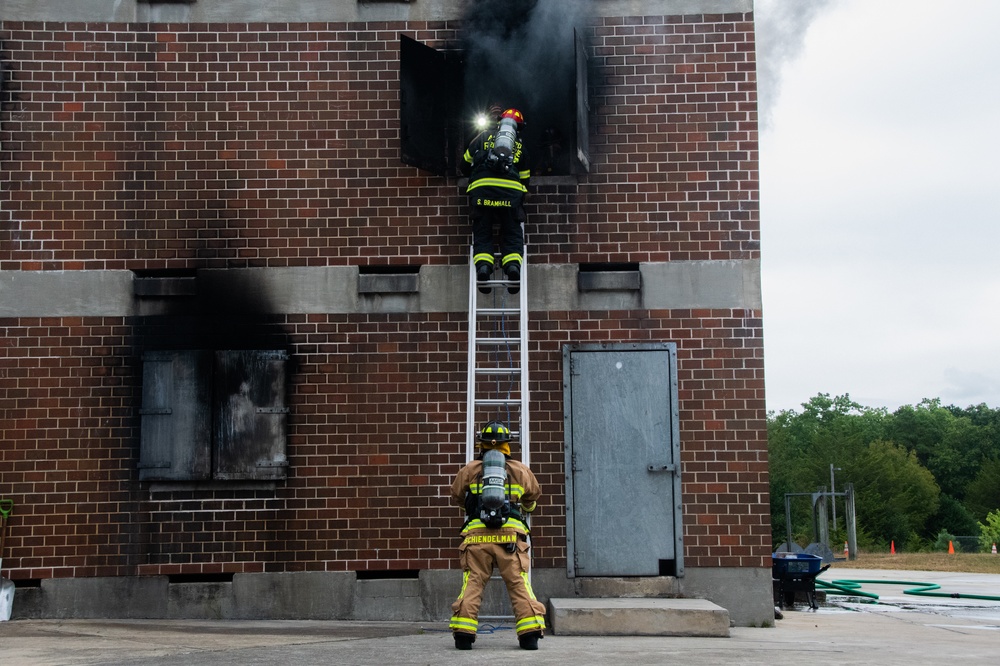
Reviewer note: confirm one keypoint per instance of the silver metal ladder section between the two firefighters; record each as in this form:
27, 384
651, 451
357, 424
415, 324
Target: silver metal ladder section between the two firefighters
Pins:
498, 359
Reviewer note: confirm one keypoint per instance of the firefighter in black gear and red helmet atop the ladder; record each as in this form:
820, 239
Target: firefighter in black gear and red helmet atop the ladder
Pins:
498, 182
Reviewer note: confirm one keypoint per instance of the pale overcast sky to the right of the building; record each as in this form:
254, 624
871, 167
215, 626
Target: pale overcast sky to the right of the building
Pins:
880, 133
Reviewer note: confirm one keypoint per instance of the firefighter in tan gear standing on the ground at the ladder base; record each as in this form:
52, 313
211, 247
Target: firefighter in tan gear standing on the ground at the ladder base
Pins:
497, 493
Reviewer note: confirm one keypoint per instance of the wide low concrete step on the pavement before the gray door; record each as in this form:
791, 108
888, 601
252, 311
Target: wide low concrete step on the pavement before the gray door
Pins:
638, 617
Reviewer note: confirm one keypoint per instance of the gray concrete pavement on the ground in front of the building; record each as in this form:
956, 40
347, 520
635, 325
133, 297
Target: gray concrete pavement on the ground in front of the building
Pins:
899, 629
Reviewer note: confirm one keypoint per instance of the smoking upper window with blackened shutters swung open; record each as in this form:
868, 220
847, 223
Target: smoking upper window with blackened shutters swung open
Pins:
443, 92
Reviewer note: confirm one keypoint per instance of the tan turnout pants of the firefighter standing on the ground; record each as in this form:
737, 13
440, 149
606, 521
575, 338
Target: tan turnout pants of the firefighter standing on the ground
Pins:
478, 560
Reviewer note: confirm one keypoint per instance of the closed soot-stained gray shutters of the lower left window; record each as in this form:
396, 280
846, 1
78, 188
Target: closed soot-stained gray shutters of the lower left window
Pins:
213, 415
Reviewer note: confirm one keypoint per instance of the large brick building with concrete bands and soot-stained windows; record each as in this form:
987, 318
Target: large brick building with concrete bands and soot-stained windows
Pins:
220, 187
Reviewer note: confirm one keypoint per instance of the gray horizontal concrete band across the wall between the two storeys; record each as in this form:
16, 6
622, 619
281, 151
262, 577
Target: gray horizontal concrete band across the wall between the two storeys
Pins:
334, 289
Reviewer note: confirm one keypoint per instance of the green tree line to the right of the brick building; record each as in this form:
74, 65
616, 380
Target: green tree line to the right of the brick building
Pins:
918, 472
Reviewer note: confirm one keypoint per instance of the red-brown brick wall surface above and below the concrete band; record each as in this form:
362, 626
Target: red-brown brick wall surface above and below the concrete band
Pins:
193, 146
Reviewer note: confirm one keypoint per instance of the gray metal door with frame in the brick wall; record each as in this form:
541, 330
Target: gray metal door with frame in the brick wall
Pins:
622, 460
